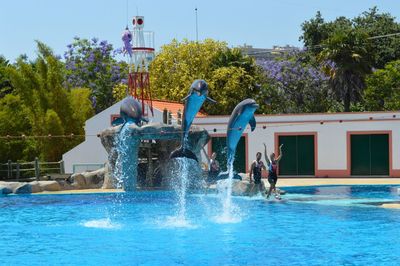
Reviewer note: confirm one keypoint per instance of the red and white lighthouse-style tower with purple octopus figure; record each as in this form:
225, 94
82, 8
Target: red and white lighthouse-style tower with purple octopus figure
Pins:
141, 52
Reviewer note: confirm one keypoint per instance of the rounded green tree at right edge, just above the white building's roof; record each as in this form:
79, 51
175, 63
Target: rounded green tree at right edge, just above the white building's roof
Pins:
383, 88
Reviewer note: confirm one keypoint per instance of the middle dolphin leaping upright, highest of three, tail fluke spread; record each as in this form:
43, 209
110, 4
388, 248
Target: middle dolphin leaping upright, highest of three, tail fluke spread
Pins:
198, 94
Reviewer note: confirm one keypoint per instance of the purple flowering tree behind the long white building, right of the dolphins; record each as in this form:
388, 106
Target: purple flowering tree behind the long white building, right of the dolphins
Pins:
293, 86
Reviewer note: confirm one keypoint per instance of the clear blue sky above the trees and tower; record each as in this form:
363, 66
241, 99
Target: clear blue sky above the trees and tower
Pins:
261, 23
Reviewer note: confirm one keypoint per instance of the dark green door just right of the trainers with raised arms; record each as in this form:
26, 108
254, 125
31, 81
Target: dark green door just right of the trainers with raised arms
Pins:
298, 155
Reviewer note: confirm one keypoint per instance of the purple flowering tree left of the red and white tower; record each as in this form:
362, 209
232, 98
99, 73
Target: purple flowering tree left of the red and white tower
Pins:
91, 64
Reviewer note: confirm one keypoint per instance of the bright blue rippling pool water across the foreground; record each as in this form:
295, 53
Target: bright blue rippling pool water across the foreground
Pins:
311, 226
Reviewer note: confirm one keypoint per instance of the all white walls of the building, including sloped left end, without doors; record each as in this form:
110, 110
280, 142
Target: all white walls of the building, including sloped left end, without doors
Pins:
331, 131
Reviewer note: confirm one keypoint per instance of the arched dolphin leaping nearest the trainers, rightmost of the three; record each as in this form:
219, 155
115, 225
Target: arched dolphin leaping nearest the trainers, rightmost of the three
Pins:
242, 115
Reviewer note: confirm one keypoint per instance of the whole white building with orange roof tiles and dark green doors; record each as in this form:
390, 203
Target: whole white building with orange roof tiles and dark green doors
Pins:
316, 145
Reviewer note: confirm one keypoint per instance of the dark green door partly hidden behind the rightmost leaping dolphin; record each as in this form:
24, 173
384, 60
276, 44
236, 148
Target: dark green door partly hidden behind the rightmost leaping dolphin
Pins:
218, 145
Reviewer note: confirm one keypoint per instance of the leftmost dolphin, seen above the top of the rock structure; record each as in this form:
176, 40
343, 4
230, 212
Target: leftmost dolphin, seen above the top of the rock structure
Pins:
130, 110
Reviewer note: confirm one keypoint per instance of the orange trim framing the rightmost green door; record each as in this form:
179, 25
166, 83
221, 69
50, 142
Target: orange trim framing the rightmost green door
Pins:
392, 172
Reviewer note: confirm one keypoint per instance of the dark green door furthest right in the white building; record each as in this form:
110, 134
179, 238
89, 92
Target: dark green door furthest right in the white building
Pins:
369, 154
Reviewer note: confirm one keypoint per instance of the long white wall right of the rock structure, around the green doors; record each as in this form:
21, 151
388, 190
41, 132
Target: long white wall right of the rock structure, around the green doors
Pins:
332, 136
